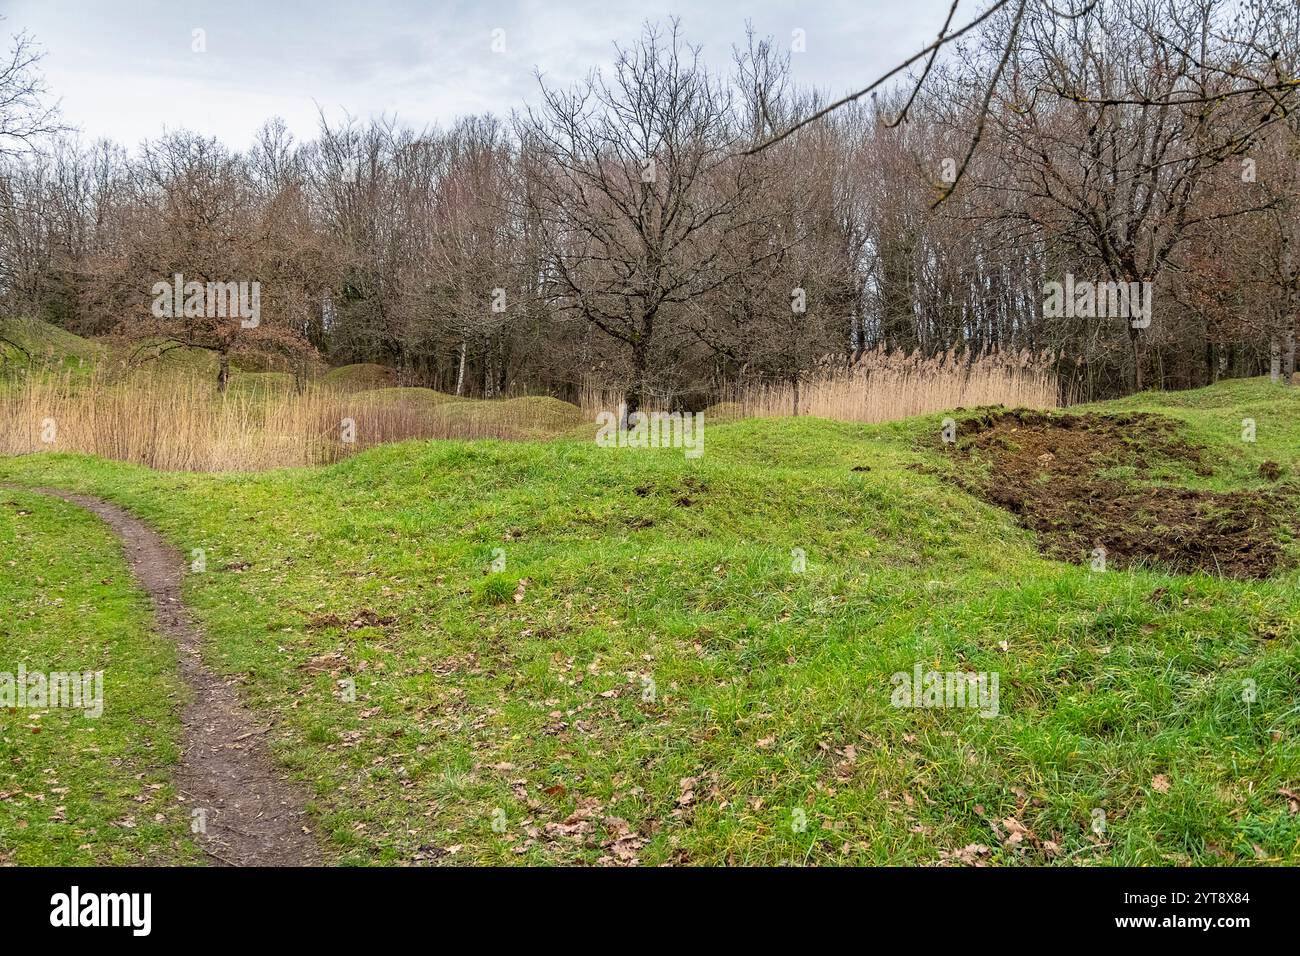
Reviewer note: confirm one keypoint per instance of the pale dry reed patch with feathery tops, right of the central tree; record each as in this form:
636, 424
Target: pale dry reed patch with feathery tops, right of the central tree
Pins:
885, 388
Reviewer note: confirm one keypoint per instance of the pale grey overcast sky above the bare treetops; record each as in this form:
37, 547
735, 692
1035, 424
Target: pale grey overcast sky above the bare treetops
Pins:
129, 70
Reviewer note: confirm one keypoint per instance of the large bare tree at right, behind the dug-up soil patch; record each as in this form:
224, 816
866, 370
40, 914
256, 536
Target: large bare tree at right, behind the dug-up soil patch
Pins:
1111, 124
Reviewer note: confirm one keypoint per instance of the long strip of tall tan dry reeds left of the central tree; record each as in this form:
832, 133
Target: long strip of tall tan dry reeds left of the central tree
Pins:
179, 423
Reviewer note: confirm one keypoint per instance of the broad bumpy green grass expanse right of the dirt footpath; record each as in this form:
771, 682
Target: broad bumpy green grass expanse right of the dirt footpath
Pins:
523, 697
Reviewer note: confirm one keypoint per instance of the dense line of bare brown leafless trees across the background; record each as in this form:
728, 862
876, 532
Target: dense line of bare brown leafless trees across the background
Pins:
670, 230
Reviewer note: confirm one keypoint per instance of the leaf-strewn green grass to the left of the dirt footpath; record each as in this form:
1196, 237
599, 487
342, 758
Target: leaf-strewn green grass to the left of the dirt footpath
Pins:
79, 790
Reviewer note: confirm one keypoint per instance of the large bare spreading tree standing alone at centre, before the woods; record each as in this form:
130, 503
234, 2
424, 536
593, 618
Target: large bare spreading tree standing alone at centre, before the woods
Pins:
642, 196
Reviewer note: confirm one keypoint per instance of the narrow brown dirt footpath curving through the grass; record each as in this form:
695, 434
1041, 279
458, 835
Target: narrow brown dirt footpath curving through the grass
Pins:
252, 815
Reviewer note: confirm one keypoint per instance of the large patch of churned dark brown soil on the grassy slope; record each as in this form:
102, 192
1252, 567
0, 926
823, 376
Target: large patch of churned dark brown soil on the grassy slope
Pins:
1050, 473
